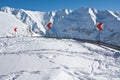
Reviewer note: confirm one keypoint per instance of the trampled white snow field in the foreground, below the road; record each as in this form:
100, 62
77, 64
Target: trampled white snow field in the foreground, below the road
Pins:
25, 58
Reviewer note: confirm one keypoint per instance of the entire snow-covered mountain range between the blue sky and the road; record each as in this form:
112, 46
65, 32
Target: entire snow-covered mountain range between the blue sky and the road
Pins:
80, 23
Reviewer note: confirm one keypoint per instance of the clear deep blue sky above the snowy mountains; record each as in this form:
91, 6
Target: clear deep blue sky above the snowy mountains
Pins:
49, 5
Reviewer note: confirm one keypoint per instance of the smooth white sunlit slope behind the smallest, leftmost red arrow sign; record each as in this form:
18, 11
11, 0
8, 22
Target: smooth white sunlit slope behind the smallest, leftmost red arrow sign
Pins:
7, 24
